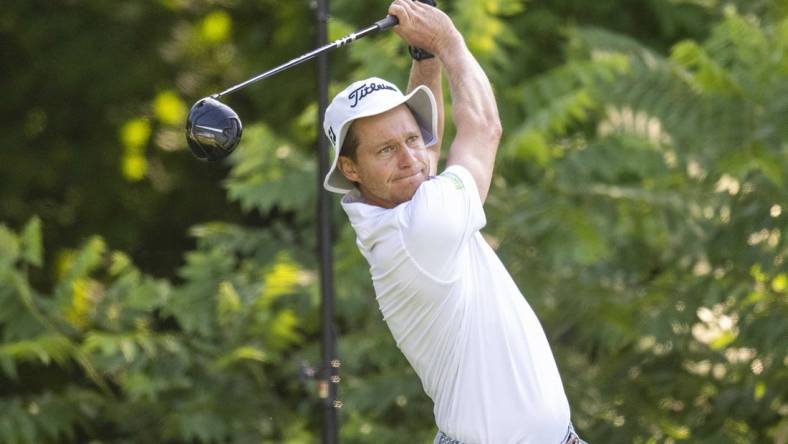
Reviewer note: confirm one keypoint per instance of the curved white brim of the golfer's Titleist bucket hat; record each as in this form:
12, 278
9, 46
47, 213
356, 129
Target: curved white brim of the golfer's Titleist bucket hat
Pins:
422, 104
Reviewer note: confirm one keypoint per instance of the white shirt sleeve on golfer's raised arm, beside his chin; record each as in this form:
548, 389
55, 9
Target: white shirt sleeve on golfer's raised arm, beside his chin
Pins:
440, 219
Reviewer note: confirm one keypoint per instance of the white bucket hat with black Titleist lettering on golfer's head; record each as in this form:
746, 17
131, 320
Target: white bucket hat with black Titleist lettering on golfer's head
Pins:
366, 98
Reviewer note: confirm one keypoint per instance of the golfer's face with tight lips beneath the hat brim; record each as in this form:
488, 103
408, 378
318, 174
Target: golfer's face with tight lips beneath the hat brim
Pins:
391, 159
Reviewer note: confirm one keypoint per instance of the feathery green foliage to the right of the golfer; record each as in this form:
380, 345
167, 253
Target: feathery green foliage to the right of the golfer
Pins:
668, 182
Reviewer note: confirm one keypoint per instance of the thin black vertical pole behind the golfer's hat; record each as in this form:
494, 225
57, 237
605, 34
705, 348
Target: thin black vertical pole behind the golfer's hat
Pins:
327, 382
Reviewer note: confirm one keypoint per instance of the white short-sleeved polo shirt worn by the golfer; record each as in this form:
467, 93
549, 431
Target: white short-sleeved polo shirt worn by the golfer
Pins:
458, 316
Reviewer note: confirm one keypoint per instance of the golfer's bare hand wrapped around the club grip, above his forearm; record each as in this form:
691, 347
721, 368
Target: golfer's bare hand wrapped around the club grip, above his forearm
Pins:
423, 26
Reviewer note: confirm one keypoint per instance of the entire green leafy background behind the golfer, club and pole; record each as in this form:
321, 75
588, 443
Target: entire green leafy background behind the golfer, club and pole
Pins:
640, 203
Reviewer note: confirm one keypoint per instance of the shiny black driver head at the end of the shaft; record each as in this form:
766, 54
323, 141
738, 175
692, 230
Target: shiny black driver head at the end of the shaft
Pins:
213, 130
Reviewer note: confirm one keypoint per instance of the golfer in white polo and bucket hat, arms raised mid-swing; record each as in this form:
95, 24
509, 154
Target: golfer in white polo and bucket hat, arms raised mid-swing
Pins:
452, 307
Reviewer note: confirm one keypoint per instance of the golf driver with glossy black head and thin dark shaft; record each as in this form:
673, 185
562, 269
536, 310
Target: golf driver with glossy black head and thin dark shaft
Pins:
214, 130
